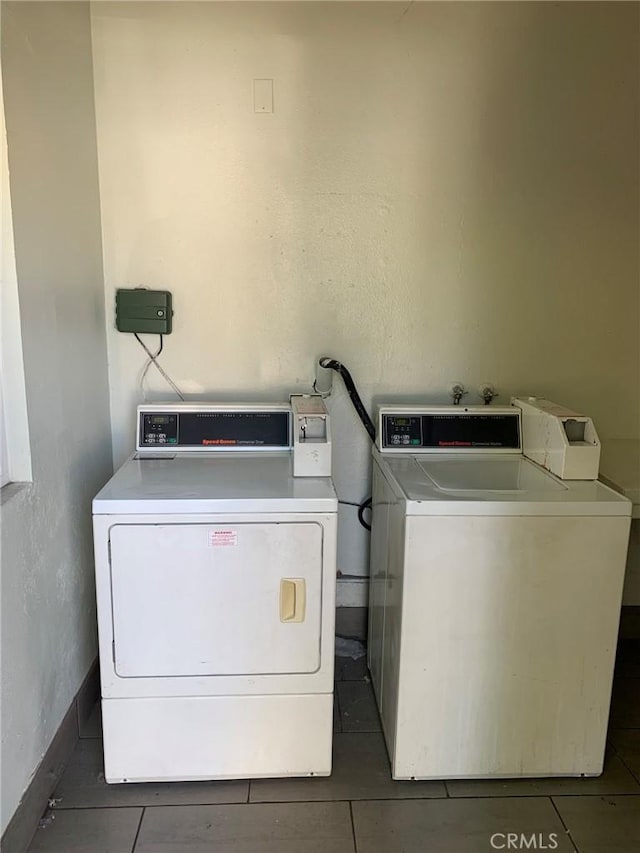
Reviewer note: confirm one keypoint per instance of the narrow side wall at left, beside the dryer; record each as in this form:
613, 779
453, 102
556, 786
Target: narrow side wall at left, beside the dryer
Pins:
48, 600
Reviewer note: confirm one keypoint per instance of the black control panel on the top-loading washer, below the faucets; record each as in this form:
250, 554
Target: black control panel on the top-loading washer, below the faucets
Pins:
449, 429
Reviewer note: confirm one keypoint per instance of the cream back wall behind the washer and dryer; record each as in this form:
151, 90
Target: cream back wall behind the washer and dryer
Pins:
444, 191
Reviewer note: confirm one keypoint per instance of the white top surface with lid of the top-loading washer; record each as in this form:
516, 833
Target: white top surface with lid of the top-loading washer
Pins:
492, 484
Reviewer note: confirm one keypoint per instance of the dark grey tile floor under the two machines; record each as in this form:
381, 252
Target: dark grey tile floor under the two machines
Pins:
359, 809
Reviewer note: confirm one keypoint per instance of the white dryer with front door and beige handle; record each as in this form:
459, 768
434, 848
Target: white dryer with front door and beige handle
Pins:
215, 576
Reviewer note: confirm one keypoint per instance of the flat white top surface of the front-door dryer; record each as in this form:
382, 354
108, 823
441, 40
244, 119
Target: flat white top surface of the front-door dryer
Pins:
201, 483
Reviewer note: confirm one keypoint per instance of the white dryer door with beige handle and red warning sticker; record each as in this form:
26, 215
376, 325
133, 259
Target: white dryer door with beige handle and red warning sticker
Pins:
208, 599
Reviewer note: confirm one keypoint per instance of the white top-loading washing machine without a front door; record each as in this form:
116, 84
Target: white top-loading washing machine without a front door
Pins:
494, 599
